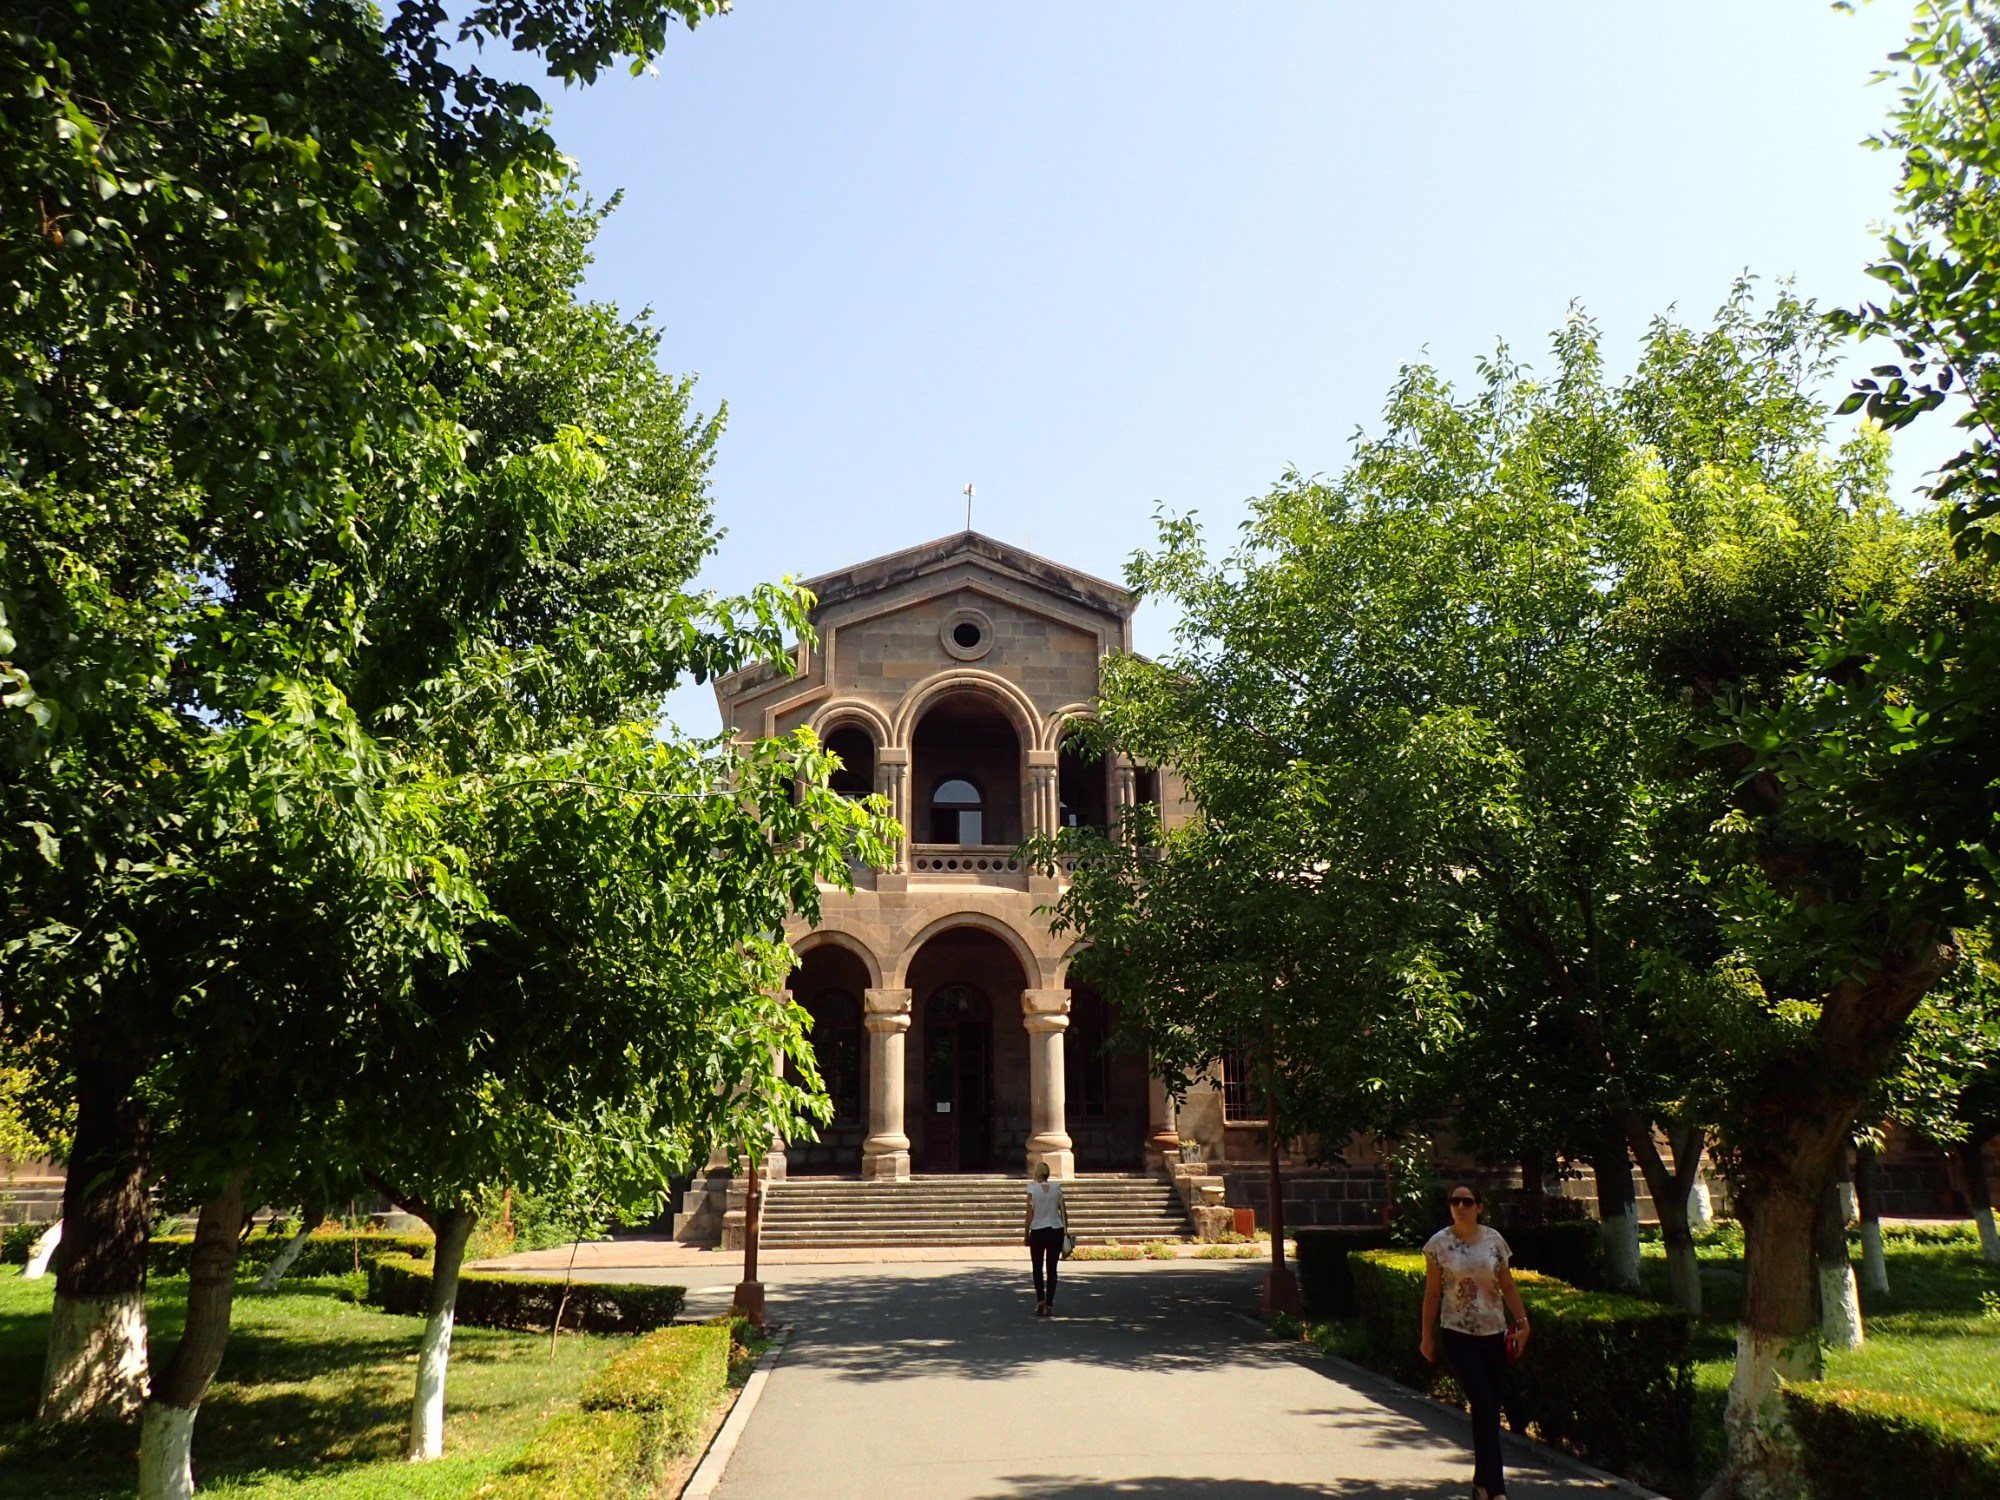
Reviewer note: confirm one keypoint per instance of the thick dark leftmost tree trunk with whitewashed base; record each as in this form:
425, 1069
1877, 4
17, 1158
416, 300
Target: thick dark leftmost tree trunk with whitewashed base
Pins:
97, 1333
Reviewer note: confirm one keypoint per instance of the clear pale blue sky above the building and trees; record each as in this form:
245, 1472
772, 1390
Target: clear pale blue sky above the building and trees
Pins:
1099, 259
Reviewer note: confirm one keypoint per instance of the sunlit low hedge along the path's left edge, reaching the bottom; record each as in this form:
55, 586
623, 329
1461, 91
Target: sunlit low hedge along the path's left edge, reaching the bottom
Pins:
639, 1415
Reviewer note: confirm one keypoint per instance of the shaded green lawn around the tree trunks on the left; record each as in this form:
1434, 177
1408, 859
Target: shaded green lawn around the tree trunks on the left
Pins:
311, 1399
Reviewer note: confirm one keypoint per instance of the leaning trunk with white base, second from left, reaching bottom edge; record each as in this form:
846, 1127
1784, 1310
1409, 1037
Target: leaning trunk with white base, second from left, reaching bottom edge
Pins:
167, 1425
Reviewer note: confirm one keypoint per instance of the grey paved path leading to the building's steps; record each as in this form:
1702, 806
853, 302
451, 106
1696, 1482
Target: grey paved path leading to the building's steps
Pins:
935, 1383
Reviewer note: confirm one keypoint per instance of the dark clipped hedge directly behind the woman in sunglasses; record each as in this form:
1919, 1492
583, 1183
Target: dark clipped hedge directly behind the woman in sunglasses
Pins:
1607, 1377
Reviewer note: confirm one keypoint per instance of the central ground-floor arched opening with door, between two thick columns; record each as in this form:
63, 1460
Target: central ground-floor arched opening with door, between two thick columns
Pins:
967, 1065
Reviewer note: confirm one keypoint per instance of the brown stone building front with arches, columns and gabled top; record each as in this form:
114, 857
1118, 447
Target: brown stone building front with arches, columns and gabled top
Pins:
949, 679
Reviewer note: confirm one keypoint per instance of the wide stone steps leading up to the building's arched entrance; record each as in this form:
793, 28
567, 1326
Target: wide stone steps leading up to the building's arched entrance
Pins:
961, 1211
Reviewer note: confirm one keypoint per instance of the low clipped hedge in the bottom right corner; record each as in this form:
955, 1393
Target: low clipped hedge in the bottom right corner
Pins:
1875, 1443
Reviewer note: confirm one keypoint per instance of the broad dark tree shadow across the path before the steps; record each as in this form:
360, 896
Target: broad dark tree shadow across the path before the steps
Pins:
977, 1325
